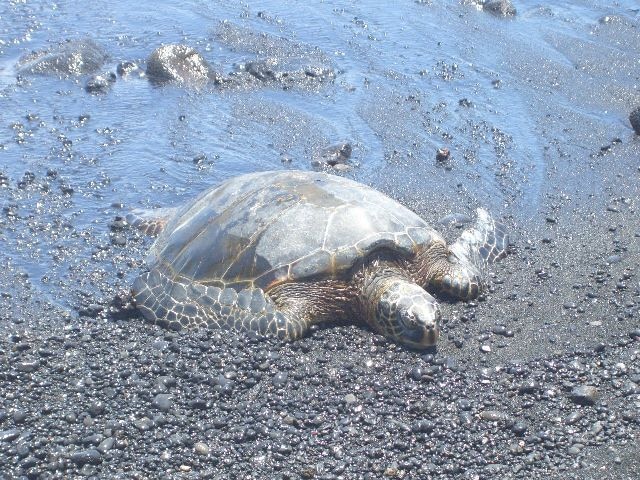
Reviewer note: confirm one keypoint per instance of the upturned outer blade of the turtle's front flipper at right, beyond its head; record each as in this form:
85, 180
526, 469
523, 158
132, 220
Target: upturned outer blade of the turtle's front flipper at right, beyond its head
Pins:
483, 244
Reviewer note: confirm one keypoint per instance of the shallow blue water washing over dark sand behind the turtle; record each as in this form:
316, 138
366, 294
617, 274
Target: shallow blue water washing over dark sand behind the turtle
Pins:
516, 100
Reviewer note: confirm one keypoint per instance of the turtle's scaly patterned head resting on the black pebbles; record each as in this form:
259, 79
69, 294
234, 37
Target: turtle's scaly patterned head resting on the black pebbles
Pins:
406, 313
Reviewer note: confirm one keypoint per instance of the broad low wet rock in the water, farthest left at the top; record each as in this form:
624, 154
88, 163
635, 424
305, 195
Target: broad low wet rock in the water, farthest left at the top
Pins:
75, 57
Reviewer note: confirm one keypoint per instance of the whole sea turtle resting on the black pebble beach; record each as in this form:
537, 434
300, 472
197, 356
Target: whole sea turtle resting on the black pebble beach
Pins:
276, 252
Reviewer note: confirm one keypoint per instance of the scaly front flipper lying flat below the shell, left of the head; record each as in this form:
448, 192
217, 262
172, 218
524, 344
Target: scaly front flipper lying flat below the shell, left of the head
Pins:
190, 305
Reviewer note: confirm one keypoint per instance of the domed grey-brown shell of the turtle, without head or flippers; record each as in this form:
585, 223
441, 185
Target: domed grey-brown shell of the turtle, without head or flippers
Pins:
266, 228
